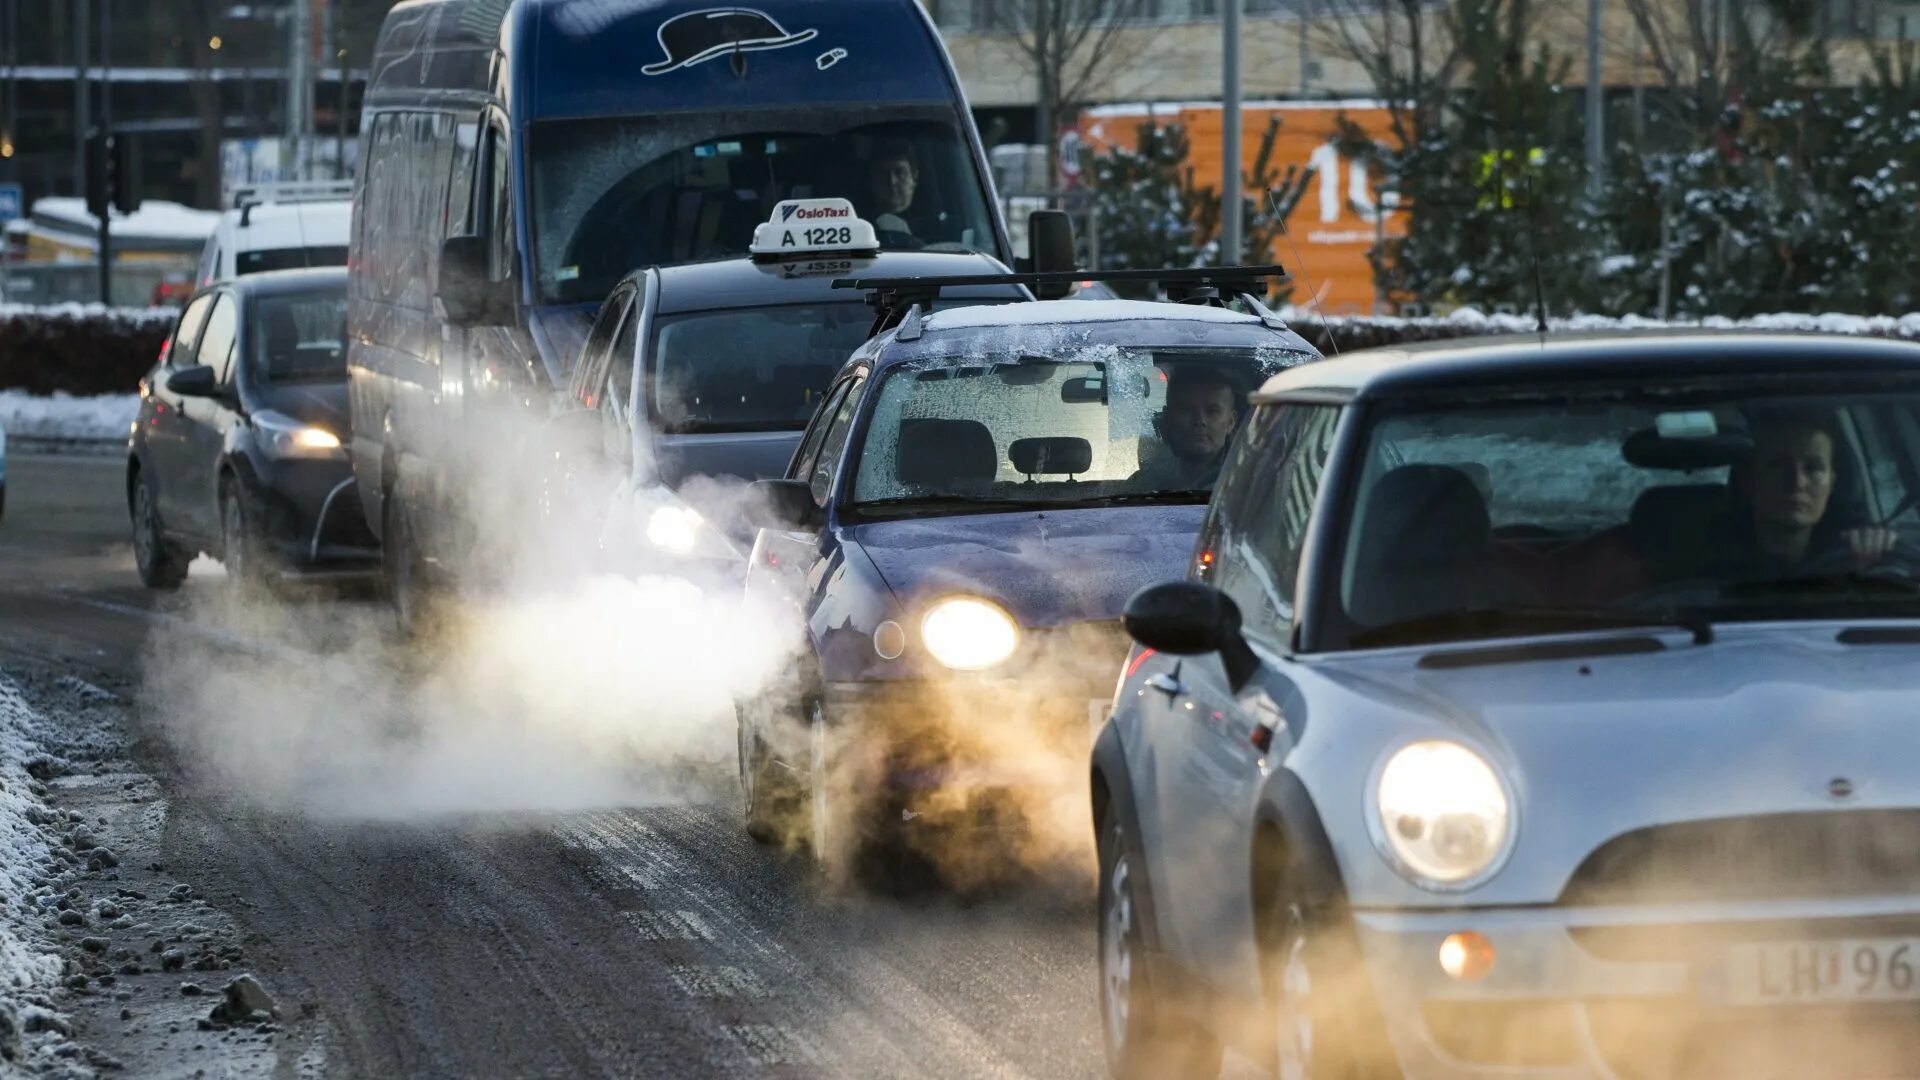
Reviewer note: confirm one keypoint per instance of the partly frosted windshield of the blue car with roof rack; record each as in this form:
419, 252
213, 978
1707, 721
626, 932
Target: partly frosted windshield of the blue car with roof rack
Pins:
1084, 428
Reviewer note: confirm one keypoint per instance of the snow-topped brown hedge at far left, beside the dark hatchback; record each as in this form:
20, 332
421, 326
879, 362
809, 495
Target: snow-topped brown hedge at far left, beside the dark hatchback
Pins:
82, 349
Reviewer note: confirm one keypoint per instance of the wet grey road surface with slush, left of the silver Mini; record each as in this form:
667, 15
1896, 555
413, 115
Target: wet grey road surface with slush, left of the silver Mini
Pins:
619, 943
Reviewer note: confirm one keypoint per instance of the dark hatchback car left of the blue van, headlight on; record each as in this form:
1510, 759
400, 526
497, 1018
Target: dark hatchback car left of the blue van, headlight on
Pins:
243, 431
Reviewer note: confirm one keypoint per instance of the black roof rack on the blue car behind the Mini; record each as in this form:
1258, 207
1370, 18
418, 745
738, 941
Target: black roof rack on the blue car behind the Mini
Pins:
898, 297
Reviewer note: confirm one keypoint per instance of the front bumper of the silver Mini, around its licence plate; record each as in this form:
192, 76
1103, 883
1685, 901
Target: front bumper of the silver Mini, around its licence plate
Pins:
1629, 993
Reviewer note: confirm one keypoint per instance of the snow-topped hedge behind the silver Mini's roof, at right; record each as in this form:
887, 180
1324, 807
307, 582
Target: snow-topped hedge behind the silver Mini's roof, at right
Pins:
1372, 331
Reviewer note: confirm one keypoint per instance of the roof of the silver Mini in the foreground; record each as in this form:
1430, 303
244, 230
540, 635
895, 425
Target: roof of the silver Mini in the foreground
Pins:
1587, 356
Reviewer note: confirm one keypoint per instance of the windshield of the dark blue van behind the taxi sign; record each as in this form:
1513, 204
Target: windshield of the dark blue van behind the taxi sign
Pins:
613, 195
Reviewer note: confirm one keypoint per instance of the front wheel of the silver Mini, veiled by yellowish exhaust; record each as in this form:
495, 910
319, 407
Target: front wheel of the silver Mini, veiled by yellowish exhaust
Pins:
1328, 1023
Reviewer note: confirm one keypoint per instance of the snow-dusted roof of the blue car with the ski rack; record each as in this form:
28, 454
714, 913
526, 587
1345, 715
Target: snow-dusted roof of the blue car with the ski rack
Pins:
1078, 324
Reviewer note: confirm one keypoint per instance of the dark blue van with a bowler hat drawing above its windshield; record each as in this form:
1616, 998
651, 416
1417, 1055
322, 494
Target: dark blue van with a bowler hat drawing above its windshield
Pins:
519, 159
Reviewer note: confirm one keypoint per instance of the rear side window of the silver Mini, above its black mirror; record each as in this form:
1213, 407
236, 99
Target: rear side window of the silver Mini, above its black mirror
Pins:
1259, 549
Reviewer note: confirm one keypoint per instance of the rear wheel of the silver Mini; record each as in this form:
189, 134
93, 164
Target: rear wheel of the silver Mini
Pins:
1145, 1039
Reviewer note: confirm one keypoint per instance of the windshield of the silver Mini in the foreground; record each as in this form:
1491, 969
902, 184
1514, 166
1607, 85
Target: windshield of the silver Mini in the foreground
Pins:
1654, 506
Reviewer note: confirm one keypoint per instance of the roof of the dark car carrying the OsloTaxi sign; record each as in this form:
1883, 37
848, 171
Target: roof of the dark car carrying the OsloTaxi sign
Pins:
748, 283
